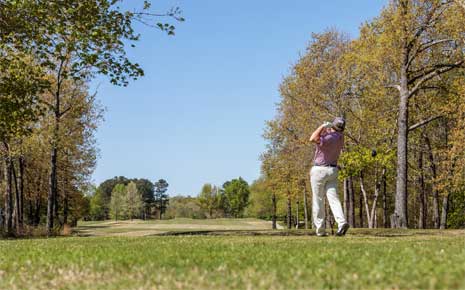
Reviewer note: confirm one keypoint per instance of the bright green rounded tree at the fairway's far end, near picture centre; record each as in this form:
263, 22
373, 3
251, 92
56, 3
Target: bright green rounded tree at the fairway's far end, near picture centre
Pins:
237, 194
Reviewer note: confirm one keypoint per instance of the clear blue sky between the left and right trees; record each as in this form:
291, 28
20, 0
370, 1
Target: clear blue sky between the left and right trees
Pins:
198, 114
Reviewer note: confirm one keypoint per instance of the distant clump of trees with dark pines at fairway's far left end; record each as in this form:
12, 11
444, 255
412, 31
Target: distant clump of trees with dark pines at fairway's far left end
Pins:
122, 198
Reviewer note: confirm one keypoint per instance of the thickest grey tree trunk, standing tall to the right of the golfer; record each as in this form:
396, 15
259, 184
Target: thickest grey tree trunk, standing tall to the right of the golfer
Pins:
400, 217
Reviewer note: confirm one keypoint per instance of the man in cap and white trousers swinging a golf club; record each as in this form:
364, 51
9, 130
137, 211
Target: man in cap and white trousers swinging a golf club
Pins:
329, 141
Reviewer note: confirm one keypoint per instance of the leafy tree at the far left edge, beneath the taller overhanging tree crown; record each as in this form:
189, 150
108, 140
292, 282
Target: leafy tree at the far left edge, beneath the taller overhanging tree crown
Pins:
20, 85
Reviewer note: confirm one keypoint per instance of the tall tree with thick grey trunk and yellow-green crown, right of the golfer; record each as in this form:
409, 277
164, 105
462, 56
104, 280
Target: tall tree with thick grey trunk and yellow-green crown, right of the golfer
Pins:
429, 34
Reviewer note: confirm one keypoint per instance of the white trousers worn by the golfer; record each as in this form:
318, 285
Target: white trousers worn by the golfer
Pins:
324, 180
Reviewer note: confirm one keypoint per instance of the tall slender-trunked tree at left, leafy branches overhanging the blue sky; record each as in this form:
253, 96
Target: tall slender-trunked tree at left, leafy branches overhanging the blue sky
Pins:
73, 41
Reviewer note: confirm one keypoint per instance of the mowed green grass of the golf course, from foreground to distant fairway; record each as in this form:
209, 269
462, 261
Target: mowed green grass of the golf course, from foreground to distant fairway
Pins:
239, 258
